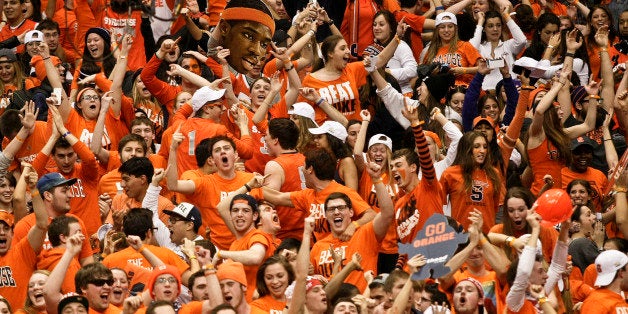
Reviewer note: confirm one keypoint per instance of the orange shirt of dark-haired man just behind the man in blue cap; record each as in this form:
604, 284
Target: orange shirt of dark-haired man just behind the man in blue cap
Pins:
84, 201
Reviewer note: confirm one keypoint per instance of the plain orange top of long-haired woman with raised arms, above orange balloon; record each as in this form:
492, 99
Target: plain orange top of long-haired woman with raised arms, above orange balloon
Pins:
544, 160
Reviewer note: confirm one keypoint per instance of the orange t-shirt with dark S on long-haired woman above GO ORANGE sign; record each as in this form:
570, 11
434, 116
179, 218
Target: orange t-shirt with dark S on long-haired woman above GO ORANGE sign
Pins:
484, 196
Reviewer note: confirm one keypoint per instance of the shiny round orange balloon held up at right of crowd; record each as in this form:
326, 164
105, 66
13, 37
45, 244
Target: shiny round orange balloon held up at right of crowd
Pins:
554, 206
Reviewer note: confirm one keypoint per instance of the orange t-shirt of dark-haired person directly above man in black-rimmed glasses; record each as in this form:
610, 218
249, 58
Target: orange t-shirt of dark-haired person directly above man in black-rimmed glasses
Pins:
313, 202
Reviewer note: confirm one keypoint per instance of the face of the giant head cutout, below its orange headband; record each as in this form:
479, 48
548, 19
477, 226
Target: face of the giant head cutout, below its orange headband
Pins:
247, 42
